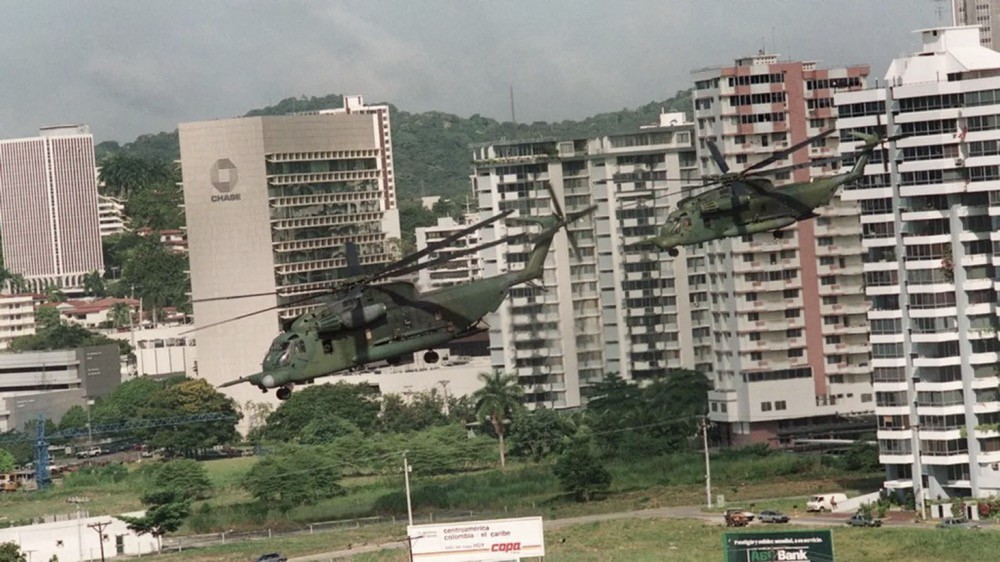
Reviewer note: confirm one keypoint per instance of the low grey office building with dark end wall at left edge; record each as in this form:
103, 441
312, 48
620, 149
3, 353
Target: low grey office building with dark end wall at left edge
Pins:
51, 382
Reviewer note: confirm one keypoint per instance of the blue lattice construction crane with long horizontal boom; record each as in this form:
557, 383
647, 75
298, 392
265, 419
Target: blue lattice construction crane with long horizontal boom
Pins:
42, 475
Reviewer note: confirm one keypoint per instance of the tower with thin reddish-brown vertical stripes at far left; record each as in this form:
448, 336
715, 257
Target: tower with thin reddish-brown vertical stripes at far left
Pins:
48, 207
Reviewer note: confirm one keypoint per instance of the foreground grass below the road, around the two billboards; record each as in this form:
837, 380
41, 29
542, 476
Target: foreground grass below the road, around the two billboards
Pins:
641, 540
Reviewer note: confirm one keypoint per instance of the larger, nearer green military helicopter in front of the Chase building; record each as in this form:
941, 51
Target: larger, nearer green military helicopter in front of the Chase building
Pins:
361, 321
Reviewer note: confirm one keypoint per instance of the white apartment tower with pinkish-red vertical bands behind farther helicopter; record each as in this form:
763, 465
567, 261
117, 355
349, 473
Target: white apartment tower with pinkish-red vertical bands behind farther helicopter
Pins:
788, 312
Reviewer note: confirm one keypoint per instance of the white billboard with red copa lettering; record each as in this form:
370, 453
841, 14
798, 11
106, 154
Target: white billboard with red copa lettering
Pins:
498, 539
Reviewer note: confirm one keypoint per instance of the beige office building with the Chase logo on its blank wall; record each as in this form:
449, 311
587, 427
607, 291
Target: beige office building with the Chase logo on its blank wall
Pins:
270, 203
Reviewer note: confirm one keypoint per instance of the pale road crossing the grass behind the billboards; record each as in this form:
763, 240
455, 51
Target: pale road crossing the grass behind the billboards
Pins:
686, 512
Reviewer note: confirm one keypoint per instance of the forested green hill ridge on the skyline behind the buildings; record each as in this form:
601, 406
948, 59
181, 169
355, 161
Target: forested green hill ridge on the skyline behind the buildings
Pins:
432, 154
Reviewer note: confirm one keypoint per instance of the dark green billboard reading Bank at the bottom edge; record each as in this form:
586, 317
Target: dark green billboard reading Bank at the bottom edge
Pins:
777, 546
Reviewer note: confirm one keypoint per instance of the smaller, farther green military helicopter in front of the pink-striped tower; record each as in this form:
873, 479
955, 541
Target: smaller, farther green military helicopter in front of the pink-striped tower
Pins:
748, 203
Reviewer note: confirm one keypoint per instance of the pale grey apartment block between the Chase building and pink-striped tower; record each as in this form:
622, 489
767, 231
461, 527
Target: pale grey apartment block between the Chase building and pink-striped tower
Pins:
603, 307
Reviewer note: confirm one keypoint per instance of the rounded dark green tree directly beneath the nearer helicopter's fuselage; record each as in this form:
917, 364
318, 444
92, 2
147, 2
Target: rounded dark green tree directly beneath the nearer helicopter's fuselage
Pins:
356, 403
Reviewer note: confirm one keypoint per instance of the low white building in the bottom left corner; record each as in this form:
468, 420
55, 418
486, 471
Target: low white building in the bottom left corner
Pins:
77, 539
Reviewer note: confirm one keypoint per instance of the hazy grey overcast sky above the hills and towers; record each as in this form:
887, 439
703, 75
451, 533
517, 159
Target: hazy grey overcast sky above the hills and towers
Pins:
132, 67
